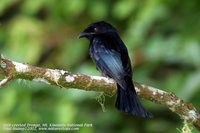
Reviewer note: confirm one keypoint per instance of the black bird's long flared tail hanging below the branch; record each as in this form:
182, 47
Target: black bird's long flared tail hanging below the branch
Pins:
128, 102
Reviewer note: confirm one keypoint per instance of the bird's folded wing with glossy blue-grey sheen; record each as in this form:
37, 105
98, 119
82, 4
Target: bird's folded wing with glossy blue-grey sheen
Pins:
109, 62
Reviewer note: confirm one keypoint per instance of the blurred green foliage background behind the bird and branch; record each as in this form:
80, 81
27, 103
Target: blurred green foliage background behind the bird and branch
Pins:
163, 39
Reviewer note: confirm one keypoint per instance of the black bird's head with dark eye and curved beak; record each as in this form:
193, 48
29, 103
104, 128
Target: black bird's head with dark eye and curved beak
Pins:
97, 28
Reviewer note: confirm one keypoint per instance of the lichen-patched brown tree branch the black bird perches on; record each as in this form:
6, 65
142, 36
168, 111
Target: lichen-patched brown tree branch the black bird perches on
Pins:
65, 79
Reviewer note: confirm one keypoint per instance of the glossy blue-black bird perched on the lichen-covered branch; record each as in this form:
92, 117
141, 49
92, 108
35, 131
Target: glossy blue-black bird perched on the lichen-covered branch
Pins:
111, 58
